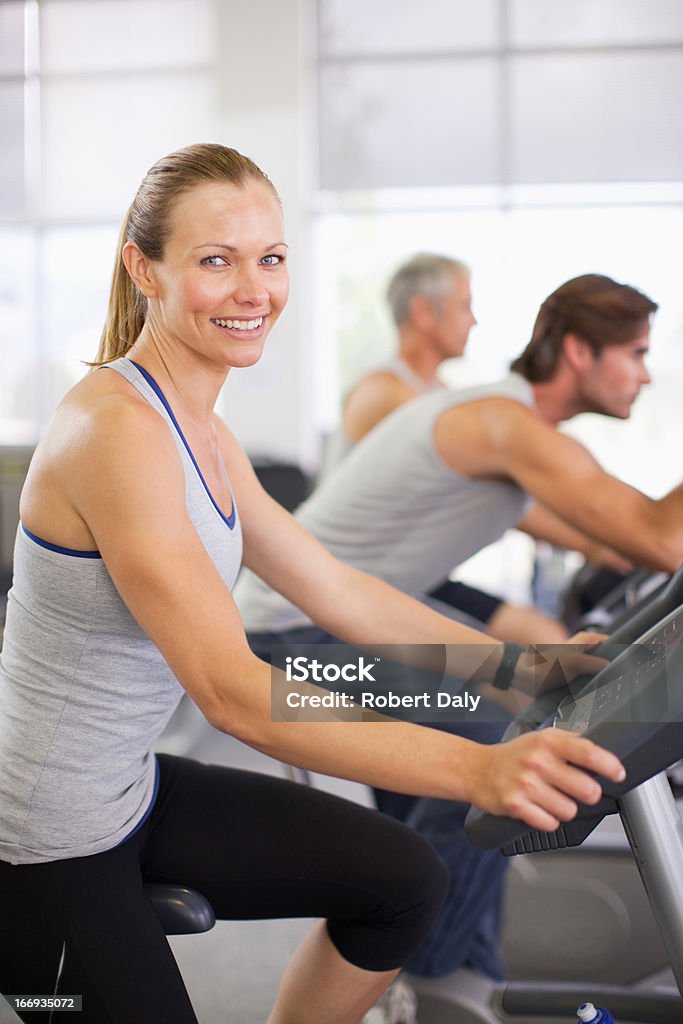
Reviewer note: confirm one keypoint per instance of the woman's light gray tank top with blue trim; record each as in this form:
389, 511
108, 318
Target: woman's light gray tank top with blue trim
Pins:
84, 695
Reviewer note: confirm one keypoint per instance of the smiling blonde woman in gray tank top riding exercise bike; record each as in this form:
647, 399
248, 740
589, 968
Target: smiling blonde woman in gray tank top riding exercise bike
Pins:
138, 509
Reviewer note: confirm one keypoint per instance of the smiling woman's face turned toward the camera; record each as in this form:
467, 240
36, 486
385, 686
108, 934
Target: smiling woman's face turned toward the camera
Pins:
224, 280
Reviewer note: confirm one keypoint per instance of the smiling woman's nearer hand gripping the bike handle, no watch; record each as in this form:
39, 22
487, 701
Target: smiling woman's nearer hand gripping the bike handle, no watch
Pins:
541, 778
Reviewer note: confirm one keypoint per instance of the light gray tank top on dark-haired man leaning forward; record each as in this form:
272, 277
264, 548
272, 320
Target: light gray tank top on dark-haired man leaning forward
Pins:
393, 508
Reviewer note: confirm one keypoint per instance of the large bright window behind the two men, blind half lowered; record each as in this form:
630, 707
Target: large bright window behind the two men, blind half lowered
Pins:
535, 140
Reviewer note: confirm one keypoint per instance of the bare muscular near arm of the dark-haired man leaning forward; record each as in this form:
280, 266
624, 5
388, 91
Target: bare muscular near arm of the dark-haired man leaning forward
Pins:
500, 439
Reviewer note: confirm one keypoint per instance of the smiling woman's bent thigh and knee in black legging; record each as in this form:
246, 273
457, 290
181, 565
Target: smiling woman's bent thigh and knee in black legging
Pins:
261, 847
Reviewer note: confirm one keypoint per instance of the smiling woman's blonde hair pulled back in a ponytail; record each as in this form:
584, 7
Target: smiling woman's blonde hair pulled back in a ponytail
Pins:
148, 225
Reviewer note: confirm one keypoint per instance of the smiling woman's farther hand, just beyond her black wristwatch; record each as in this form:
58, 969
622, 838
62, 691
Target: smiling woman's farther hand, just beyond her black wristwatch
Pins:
545, 667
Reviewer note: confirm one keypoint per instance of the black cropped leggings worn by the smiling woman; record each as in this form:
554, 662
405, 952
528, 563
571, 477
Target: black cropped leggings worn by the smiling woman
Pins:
258, 847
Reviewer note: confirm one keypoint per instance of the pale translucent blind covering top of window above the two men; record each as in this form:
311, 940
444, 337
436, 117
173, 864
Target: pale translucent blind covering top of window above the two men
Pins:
509, 93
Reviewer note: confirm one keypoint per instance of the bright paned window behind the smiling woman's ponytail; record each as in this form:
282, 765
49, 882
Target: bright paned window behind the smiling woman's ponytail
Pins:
69, 70
